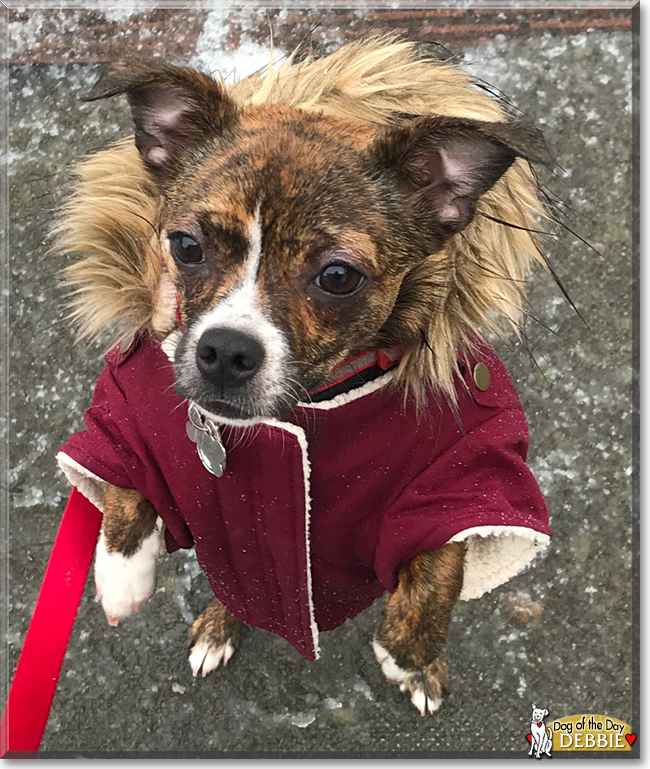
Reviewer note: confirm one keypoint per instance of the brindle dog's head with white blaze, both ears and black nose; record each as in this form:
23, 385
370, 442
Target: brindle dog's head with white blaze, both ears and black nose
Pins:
290, 235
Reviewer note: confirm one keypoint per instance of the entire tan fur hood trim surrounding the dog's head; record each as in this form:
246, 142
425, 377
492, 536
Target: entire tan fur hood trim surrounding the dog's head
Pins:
477, 283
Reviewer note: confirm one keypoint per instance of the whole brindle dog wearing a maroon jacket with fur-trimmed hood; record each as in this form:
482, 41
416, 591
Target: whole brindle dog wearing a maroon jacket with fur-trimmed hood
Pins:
297, 270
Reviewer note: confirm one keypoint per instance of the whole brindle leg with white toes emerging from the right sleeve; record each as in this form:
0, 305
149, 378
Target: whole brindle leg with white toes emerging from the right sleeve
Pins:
413, 632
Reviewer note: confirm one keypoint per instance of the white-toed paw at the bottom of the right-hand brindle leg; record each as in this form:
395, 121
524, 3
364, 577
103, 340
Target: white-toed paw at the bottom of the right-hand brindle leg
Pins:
428, 687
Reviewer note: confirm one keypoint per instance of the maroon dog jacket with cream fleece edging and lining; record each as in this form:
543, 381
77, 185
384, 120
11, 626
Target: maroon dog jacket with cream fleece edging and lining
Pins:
314, 516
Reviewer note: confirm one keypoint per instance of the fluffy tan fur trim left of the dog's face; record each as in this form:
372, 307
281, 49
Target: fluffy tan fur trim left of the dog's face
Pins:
112, 218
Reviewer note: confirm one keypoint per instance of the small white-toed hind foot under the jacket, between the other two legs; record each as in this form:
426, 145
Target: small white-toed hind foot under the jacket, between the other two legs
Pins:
213, 638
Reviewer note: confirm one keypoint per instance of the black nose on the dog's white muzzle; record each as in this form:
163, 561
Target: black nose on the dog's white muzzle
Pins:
227, 358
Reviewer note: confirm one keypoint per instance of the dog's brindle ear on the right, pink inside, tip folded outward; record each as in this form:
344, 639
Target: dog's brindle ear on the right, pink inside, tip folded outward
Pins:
445, 164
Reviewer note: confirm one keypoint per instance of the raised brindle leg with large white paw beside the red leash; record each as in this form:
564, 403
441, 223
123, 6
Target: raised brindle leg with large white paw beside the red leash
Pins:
129, 544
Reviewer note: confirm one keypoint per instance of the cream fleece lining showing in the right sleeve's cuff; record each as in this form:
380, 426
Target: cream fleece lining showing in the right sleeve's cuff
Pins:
495, 554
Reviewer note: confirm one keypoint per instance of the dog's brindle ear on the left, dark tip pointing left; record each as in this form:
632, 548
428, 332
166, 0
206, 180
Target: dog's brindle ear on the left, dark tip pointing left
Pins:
174, 109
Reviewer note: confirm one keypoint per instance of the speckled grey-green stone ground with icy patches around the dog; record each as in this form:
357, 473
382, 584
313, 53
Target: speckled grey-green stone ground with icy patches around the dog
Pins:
560, 634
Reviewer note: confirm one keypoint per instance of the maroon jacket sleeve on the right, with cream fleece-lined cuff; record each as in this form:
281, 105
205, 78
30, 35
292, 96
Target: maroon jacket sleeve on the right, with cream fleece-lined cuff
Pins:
479, 490
